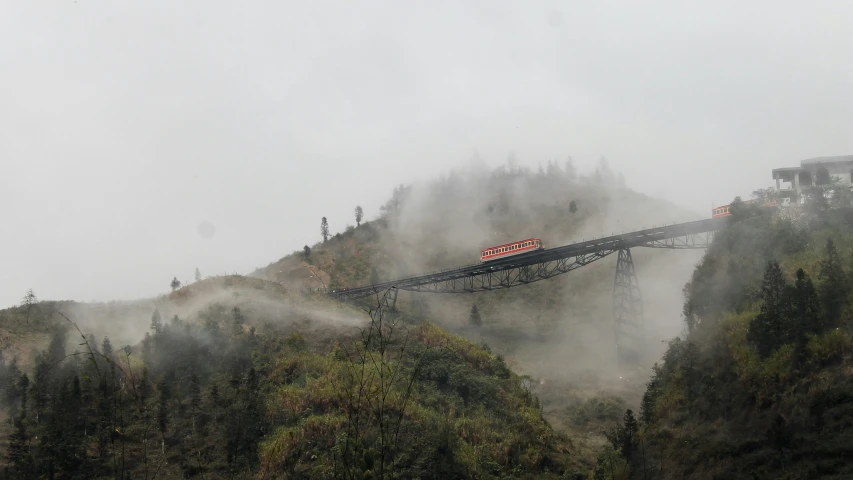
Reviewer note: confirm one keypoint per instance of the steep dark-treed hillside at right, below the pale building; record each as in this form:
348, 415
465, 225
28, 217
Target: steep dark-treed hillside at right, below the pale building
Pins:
761, 387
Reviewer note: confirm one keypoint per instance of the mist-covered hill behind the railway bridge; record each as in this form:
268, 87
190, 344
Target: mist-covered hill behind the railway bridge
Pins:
558, 331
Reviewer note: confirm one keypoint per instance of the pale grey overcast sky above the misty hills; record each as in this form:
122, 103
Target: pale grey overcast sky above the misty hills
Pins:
125, 125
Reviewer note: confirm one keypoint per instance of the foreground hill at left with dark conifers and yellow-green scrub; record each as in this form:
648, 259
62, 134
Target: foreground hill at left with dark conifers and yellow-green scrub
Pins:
255, 381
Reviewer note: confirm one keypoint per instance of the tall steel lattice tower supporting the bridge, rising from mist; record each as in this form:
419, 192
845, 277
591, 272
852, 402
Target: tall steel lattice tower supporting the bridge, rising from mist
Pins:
627, 311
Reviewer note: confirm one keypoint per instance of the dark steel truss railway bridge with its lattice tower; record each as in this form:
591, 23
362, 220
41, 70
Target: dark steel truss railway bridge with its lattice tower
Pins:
543, 264
